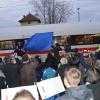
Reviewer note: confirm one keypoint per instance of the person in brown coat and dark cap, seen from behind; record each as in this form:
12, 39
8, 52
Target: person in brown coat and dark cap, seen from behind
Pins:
28, 75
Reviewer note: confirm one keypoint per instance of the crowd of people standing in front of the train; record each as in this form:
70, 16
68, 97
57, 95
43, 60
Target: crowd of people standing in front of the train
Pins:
78, 73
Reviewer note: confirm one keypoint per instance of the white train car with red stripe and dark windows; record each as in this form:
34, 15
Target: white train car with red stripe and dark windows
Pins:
84, 36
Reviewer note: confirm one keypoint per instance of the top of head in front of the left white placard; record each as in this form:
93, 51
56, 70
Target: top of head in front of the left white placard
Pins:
23, 95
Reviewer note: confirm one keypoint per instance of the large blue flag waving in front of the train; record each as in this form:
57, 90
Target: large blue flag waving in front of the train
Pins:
39, 42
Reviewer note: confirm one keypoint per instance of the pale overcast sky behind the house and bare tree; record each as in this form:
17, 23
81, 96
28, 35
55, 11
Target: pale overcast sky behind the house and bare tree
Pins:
13, 10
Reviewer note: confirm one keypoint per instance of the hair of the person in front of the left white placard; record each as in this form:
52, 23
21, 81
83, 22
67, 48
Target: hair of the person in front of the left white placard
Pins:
23, 93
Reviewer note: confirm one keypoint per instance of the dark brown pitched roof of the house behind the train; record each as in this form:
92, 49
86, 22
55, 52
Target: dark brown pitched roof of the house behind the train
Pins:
29, 18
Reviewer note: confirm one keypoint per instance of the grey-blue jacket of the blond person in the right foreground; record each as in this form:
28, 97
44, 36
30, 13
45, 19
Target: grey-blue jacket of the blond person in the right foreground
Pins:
77, 93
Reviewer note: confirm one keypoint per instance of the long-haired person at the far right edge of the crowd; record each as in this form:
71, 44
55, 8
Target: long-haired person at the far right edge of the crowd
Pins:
93, 77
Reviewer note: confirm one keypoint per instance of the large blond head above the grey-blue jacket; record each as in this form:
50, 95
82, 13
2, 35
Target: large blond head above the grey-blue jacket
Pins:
72, 77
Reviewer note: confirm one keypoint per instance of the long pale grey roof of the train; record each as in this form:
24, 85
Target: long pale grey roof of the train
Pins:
57, 29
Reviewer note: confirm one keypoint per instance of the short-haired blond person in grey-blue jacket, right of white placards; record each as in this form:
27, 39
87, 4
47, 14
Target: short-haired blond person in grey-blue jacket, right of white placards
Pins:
74, 91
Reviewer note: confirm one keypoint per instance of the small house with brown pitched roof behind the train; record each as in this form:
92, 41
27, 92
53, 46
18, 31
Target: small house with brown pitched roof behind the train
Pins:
29, 20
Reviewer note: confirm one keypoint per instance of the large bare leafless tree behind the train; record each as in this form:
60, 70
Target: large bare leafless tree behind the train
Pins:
52, 11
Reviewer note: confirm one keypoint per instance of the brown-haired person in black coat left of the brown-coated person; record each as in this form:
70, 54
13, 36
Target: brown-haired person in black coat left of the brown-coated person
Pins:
11, 70
